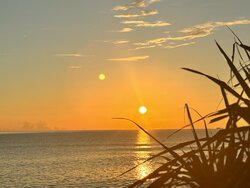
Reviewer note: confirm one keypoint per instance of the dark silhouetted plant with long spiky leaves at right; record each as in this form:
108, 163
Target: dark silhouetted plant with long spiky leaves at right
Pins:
219, 161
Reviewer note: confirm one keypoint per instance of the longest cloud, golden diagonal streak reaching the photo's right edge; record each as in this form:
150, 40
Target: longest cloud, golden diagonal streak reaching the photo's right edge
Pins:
190, 33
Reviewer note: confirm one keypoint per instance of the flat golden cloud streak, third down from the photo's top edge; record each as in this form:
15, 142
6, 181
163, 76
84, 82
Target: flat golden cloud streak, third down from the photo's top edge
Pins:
140, 23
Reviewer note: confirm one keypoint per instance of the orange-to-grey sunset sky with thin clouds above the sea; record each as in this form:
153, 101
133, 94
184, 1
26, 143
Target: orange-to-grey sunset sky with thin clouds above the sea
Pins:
75, 65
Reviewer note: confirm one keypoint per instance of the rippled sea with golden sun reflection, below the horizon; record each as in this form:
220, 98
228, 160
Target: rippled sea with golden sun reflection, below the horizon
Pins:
79, 158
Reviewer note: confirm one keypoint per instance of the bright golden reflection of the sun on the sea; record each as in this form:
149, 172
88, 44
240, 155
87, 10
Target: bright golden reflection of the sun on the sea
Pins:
143, 152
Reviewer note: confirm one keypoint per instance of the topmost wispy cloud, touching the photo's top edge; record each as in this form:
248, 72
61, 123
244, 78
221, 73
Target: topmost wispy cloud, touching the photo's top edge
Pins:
135, 4
